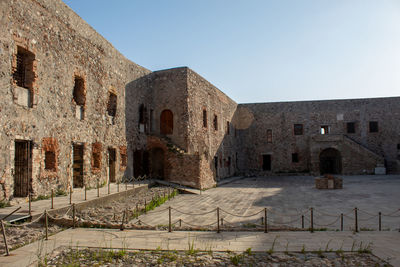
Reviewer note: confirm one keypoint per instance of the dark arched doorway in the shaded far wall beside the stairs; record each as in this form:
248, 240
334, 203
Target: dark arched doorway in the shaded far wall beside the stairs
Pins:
330, 161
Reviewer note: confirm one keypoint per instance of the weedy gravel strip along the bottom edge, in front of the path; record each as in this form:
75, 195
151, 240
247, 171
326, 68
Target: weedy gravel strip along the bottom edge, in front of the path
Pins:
92, 257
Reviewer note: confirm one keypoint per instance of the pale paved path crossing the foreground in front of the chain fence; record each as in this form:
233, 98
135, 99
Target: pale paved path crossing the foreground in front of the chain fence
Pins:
385, 245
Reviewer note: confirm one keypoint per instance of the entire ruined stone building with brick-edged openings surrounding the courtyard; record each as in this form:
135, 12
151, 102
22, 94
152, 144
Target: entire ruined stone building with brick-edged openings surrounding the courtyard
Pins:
74, 112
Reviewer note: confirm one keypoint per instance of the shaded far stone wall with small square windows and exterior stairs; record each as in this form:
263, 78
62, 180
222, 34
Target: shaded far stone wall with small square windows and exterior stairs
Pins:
360, 150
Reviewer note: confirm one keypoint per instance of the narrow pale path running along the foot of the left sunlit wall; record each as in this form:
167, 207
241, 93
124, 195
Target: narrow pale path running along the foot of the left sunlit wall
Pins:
78, 196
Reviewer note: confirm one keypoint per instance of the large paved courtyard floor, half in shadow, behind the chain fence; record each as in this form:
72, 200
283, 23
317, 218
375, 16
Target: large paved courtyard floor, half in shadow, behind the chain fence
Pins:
287, 198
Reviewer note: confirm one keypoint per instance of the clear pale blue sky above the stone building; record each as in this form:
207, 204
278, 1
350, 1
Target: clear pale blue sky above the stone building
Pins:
261, 50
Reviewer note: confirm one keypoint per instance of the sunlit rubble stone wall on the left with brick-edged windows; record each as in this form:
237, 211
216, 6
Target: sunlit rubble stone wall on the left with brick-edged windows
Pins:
64, 47
